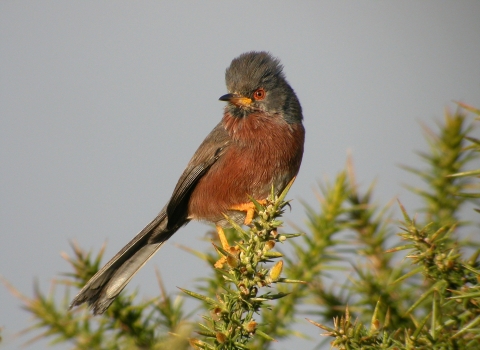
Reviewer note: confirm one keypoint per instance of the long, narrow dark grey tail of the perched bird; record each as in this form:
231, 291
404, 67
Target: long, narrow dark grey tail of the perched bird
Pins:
102, 289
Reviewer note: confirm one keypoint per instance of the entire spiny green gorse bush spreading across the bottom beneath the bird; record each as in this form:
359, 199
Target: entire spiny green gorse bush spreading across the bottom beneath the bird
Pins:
368, 280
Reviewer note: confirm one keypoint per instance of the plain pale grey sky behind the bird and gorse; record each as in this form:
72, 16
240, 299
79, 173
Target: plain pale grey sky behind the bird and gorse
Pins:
102, 104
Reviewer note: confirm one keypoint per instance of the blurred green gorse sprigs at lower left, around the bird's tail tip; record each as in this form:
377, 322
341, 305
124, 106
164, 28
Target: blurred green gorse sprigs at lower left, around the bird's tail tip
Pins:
126, 324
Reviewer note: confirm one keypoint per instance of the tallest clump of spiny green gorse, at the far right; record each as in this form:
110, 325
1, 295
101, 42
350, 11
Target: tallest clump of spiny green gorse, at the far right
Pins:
432, 300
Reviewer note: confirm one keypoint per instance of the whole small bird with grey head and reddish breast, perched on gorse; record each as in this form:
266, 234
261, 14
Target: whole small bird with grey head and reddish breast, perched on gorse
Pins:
257, 144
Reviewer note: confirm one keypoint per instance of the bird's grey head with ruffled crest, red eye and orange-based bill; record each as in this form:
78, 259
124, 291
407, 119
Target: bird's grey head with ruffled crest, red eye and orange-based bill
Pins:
256, 82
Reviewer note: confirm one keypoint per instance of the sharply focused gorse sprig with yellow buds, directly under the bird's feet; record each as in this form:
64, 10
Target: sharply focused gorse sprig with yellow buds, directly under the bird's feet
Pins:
243, 276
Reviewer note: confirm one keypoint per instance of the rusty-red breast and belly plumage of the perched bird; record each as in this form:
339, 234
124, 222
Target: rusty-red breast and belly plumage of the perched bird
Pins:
265, 150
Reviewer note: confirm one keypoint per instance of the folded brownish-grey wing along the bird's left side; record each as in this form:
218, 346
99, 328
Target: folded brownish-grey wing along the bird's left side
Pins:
211, 149
